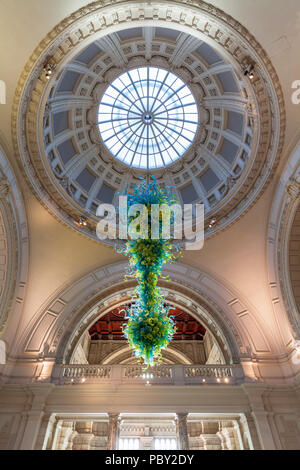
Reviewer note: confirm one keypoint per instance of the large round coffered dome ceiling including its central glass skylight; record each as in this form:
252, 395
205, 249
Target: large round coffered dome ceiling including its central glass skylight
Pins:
224, 163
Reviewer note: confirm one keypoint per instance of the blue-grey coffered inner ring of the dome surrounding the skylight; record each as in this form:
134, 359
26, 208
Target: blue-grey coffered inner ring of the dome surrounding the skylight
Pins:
73, 145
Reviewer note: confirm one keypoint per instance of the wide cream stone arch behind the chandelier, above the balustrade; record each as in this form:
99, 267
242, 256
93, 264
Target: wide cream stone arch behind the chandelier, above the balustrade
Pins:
57, 327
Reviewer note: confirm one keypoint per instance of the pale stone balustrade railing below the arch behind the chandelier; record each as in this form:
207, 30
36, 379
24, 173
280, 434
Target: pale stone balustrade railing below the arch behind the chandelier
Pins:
158, 375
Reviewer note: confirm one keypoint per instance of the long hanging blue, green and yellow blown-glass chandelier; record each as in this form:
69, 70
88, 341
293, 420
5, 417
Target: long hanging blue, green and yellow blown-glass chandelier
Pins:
149, 327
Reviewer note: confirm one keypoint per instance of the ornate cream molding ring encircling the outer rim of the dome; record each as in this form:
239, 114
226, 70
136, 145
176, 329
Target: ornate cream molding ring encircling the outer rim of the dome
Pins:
195, 17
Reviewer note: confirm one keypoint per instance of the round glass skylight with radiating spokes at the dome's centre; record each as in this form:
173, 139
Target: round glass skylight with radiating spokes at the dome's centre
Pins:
148, 118
